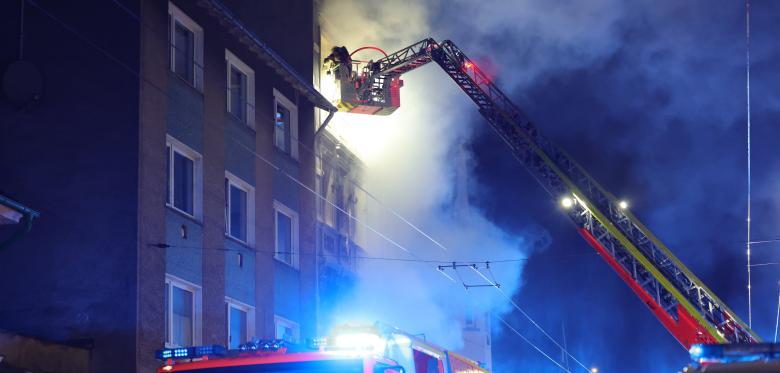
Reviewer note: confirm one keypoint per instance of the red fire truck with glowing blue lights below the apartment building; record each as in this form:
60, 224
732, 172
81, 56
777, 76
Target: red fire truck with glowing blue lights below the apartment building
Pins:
350, 349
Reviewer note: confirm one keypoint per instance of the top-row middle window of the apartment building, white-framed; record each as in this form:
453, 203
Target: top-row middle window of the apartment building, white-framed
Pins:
241, 90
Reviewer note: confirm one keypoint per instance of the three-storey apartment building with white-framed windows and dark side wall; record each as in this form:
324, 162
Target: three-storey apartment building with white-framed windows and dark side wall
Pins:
170, 150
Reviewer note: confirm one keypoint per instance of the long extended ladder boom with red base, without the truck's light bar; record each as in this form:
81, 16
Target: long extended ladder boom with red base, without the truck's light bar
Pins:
684, 305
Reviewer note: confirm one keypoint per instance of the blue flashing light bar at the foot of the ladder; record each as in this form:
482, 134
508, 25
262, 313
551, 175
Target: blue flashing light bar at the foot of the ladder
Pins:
732, 353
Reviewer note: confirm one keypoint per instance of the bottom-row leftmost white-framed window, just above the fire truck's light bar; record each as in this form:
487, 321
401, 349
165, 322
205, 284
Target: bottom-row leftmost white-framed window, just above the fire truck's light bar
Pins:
182, 312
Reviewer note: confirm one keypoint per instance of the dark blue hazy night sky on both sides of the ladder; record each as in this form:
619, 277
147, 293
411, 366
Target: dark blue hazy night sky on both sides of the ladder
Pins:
657, 114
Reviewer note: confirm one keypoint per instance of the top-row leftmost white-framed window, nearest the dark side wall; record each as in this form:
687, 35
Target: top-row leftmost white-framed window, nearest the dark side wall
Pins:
186, 39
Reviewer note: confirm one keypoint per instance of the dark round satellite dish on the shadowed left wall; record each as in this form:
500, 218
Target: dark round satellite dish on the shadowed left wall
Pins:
23, 84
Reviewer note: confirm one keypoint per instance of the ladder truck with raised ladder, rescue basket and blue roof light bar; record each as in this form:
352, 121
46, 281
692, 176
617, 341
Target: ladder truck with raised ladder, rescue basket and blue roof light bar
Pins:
702, 323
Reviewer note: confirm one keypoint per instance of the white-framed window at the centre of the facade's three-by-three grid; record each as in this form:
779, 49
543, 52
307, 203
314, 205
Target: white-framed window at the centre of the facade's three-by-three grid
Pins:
239, 209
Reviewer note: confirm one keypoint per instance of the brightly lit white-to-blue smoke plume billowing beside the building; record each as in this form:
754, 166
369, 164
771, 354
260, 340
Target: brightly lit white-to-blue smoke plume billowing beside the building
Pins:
416, 164
